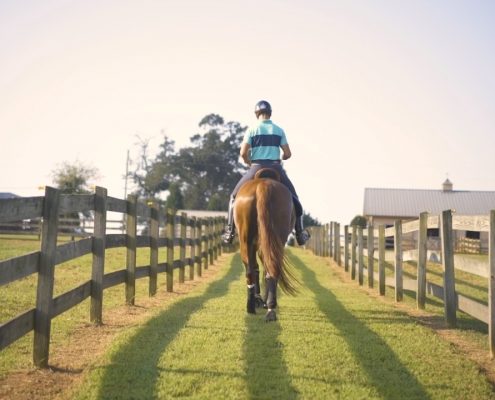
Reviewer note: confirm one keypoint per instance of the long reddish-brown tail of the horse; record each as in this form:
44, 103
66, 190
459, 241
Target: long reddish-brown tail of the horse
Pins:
270, 244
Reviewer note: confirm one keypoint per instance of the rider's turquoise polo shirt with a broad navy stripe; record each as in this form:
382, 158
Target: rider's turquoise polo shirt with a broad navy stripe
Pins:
265, 140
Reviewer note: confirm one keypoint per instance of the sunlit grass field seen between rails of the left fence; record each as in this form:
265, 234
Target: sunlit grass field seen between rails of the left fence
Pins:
20, 296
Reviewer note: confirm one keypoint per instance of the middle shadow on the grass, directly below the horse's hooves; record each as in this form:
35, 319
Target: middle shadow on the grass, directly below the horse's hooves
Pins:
267, 375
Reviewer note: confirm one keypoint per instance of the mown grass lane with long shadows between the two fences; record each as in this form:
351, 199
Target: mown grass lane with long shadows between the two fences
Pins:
331, 341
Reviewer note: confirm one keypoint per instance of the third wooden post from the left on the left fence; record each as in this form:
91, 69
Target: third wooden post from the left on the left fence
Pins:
131, 242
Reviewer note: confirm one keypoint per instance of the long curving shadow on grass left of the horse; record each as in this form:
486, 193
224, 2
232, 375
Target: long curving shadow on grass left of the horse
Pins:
134, 370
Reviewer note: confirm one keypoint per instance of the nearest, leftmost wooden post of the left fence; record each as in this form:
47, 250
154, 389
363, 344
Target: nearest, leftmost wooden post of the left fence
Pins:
44, 296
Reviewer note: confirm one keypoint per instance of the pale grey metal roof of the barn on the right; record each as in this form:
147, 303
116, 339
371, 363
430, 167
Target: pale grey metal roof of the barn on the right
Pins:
412, 202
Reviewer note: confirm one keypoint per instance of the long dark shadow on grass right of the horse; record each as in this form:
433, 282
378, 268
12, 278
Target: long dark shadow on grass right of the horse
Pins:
391, 379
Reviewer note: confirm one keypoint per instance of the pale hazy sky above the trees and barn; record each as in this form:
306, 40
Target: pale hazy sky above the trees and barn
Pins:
370, 93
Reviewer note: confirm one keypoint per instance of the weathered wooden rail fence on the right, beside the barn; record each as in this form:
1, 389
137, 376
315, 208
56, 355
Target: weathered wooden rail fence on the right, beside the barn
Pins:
326, 241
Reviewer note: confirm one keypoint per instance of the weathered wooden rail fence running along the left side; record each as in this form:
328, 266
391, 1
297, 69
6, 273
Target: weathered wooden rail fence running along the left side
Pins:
201, 235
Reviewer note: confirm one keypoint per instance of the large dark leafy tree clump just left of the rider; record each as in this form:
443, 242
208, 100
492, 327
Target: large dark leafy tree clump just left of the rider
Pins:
206, 172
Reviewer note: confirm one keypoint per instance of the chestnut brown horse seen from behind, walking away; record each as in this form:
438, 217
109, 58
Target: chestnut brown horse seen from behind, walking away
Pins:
264, 216
